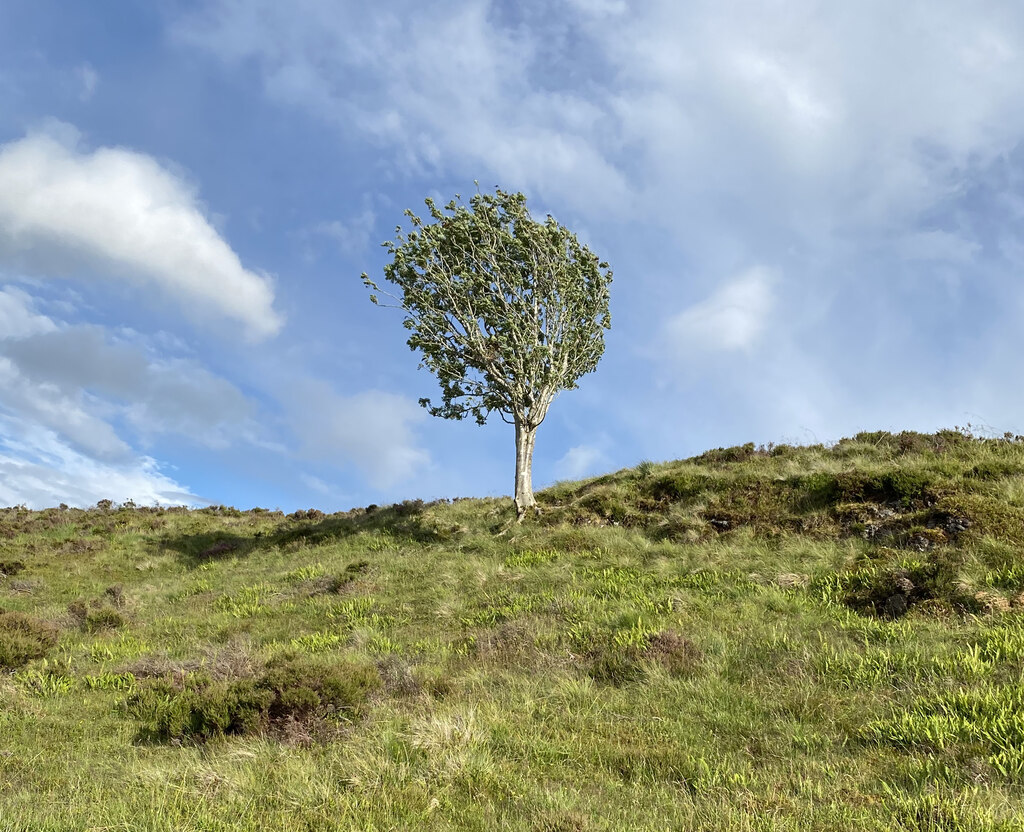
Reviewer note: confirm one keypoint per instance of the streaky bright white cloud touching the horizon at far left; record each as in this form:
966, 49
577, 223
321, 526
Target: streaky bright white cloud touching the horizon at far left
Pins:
39, 471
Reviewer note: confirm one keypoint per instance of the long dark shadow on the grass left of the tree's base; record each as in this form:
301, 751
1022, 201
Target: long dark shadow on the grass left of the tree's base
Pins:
403, 522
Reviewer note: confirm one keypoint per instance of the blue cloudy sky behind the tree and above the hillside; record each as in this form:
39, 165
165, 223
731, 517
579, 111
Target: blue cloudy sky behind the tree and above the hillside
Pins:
815, 213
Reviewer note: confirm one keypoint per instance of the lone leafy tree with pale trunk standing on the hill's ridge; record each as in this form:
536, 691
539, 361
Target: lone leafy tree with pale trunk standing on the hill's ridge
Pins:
506, 312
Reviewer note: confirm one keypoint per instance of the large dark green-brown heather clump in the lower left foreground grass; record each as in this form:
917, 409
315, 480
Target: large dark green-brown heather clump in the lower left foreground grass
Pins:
289, 690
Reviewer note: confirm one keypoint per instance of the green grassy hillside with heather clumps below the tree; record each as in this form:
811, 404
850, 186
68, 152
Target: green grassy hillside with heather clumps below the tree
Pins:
755, 639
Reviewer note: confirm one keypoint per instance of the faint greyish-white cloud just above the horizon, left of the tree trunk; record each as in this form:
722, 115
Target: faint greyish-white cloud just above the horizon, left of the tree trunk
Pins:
372, 430
